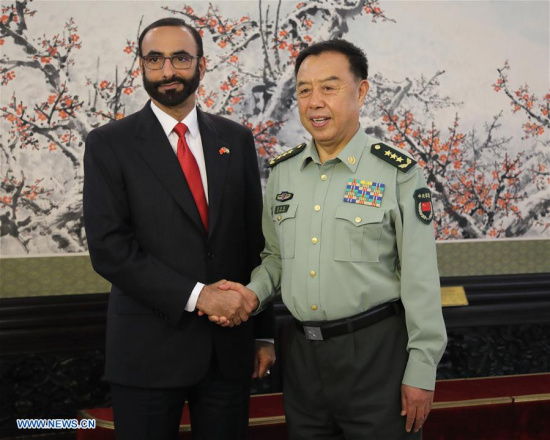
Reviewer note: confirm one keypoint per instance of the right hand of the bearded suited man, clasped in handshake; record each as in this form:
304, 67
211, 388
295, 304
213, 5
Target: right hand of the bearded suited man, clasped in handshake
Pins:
231, 304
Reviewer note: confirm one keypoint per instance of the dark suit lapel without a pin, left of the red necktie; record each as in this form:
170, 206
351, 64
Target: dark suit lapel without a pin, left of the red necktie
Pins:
153, 145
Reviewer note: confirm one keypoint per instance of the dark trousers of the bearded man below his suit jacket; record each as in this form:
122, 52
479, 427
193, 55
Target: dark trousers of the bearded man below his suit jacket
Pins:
218, 409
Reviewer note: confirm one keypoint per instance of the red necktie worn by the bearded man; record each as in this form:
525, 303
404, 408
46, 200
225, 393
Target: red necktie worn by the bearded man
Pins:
192, 173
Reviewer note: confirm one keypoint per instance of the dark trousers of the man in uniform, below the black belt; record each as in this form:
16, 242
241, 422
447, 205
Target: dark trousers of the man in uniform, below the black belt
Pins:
347, 387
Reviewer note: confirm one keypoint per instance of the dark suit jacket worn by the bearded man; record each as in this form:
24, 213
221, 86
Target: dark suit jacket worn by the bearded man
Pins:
145, 236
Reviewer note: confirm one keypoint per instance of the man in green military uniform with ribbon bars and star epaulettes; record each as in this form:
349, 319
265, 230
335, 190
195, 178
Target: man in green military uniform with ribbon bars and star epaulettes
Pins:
350, 245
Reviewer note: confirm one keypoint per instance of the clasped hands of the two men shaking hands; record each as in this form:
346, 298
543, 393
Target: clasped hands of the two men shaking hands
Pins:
227, 303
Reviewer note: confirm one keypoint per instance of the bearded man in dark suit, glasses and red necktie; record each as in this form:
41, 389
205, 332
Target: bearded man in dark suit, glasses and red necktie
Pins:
169, 210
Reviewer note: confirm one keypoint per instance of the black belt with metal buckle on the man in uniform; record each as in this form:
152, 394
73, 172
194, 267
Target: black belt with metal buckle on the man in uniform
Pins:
323, 330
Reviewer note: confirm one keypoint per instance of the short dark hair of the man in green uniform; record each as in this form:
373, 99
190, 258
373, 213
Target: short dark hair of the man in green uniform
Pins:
358, 62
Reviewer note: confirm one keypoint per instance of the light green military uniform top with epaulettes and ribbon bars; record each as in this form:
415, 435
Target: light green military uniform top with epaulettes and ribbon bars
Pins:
350, 234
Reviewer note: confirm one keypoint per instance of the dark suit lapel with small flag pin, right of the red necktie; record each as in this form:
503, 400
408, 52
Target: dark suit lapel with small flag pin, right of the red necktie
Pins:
217, 164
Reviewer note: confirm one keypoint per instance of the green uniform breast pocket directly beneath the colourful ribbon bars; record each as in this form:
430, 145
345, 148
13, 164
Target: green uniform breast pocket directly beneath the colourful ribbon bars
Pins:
357, 233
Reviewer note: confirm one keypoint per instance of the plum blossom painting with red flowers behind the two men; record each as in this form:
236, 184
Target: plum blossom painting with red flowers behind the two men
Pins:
463, 86
